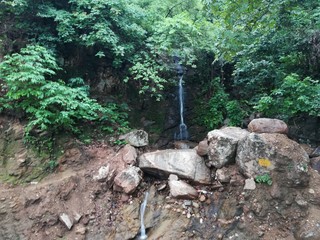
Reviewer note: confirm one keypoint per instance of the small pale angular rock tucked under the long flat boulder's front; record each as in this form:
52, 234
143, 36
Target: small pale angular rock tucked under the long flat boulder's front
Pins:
182, 190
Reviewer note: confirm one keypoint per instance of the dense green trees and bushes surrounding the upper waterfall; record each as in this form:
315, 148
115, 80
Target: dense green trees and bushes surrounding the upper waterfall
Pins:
246, 56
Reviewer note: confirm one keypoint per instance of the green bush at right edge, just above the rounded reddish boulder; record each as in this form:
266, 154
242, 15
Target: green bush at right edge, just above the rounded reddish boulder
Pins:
292, 98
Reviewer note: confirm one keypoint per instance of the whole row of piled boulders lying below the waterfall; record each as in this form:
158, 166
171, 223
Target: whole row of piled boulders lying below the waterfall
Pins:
263, 148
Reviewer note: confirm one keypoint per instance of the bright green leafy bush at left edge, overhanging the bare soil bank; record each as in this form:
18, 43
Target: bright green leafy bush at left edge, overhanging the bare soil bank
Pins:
49, 105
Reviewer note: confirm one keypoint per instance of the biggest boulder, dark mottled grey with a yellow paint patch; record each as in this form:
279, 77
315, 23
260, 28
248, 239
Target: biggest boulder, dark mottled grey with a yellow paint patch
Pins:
283, 158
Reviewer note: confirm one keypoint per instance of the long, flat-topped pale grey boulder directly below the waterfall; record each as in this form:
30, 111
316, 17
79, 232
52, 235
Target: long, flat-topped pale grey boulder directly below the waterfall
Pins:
185, 163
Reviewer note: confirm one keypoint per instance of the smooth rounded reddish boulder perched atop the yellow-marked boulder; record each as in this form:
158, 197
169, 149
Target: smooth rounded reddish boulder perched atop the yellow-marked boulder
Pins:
268, 125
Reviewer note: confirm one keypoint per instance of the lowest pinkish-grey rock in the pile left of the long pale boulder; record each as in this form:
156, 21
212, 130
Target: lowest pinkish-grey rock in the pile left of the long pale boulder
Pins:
128, 180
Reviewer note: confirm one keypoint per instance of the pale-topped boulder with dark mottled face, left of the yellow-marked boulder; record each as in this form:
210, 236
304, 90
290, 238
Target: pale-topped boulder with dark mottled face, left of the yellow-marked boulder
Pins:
223, 145
